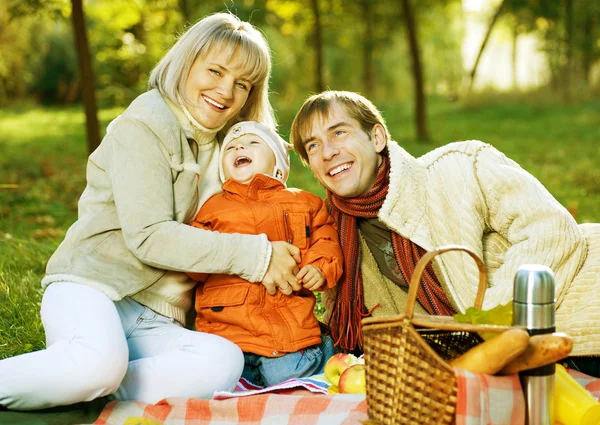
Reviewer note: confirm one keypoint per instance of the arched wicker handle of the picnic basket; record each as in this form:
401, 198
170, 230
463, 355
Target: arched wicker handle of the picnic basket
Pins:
415, 279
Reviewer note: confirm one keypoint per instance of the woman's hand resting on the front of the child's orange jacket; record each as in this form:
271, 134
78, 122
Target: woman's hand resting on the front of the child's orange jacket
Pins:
283, 269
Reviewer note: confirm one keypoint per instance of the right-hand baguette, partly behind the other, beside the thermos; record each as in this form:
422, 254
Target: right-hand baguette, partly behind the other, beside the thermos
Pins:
542, 350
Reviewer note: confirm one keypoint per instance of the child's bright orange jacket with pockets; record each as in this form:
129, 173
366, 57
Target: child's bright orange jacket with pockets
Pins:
243, 312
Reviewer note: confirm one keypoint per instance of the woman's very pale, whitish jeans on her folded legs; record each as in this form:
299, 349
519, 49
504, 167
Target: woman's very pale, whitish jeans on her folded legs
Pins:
97, 347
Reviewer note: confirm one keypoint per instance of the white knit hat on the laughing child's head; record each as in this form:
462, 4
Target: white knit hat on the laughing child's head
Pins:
279, 146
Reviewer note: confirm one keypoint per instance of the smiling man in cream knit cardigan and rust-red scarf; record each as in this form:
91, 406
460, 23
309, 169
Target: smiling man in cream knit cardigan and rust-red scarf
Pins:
391, 207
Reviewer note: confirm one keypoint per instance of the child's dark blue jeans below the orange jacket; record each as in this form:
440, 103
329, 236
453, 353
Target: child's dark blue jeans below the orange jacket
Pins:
267, 371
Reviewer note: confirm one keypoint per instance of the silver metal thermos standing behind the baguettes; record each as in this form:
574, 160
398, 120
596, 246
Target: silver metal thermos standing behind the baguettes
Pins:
533, 308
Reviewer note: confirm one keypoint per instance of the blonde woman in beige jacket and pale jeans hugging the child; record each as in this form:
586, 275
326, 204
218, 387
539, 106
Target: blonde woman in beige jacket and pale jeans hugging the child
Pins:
116, 296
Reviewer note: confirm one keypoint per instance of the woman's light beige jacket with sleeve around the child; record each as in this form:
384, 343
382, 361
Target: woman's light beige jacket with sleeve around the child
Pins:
145, 181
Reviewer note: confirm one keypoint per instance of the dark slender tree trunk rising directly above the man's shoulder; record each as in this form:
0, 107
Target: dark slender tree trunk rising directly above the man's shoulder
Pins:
417, 71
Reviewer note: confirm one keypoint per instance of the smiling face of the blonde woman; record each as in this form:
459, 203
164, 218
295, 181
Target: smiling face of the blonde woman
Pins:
217, 89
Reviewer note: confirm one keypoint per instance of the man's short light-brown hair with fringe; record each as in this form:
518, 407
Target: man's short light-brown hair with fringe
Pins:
358, 108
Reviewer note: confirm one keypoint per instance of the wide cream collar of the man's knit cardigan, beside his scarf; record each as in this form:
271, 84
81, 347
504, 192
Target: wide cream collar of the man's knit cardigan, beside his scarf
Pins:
403, 210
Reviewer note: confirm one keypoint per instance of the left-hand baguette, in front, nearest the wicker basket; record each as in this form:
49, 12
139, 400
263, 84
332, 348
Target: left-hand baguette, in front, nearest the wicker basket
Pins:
492, 355
